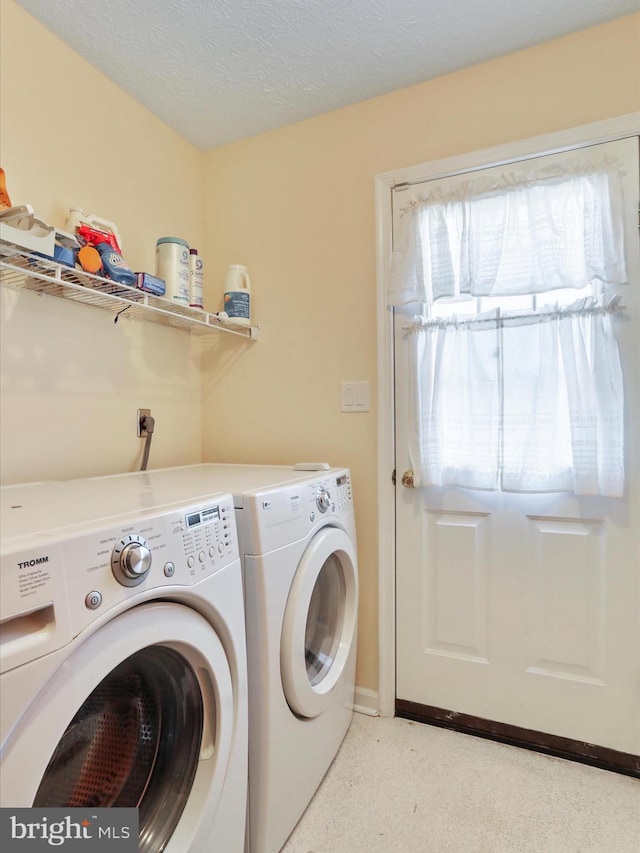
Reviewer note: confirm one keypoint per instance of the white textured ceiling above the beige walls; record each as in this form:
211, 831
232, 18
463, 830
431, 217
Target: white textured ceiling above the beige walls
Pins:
221, 70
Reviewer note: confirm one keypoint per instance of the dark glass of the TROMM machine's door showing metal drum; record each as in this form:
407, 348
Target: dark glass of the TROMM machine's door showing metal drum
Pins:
134, 742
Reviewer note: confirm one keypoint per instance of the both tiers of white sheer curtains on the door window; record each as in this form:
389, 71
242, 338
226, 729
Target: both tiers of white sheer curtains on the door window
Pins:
519, 401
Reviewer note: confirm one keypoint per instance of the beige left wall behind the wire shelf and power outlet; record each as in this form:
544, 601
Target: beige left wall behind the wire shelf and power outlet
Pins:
71, 380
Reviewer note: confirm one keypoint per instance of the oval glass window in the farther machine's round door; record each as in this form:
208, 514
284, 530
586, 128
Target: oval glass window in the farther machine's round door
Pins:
324, 620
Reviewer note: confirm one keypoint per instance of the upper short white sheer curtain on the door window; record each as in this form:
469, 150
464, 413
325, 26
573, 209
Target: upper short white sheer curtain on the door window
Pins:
555, 228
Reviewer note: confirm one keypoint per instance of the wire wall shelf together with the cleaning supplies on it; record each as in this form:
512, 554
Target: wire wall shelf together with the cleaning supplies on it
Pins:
88, 254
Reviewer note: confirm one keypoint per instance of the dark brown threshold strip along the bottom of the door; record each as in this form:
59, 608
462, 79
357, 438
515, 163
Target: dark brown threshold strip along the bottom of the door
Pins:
561, 747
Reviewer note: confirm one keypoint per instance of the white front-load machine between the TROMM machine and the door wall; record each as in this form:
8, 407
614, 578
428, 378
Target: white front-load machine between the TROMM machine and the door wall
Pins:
297, 540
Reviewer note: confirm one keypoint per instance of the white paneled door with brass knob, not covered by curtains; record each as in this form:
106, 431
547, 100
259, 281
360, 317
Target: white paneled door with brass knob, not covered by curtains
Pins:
523, 609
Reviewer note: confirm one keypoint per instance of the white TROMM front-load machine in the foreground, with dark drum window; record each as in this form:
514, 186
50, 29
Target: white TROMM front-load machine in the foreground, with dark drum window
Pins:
123, 677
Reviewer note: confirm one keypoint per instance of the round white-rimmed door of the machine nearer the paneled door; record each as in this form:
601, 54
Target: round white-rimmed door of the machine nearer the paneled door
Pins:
319, 628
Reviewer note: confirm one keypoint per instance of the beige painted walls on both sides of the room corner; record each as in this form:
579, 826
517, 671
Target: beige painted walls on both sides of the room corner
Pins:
296, 206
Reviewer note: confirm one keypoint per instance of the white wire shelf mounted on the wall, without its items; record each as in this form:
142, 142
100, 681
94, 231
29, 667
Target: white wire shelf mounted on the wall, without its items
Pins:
22, 270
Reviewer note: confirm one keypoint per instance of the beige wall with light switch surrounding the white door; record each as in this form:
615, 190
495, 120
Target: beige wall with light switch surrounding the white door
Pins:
296, 205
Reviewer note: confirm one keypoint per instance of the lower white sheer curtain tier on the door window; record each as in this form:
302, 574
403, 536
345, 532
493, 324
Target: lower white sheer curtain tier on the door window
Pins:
528, 403
